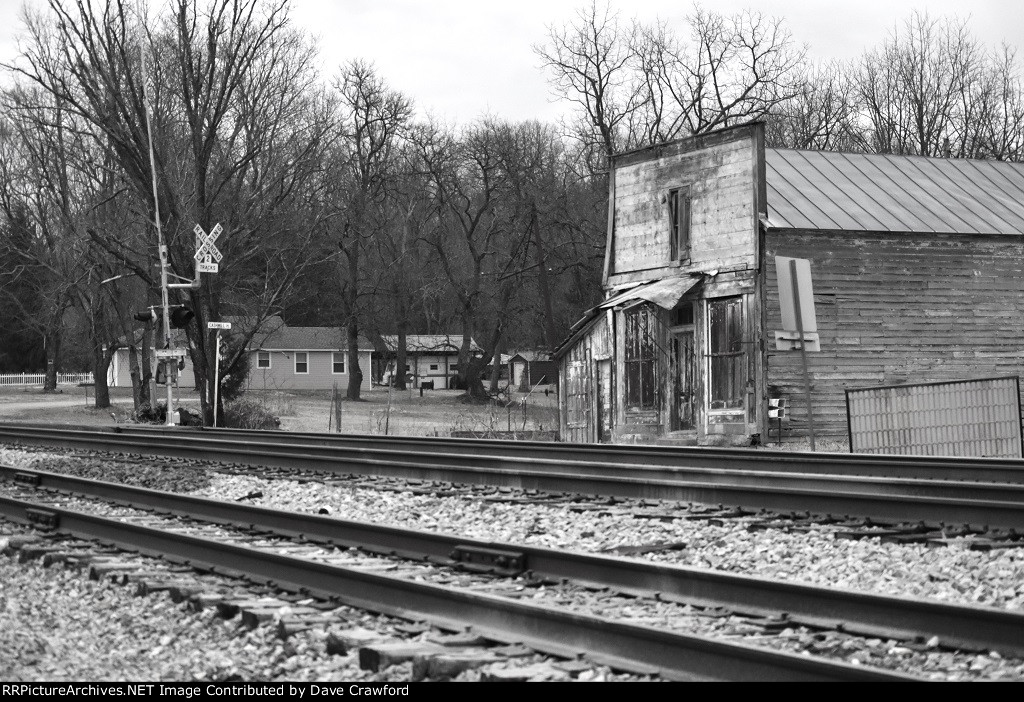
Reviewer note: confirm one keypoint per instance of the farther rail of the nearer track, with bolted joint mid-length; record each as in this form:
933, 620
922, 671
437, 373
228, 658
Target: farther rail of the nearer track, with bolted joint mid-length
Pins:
957, 626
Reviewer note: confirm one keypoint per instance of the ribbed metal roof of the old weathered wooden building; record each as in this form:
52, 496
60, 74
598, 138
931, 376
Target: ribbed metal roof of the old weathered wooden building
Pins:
882, 193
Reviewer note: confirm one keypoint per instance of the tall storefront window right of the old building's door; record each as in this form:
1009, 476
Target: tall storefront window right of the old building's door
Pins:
729, 361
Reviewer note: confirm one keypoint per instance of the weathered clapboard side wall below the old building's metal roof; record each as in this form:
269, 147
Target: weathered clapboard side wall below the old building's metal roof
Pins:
898, 309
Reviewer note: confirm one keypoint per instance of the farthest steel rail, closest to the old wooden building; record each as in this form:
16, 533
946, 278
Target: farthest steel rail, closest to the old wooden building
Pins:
987, 470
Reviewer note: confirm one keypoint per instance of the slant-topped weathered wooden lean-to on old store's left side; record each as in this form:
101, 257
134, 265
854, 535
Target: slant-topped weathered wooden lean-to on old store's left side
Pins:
585, 400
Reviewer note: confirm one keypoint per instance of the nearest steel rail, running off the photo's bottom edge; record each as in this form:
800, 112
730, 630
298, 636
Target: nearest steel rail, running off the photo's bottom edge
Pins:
551, 631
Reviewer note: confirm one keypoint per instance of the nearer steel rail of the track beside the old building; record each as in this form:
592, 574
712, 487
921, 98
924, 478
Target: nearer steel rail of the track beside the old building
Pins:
935, 503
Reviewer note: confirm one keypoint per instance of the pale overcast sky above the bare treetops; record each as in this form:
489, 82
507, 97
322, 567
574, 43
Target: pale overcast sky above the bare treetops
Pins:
459, 59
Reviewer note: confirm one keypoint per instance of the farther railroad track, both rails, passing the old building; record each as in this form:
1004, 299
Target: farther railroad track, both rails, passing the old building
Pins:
839, 486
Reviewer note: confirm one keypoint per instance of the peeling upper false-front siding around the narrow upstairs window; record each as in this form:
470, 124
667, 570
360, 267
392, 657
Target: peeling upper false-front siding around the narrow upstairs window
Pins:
721, 171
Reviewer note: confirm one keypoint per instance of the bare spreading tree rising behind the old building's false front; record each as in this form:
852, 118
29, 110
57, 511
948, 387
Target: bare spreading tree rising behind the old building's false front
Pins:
652, 83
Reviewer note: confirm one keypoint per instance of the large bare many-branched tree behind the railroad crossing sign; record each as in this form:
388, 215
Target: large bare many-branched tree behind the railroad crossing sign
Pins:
239, 135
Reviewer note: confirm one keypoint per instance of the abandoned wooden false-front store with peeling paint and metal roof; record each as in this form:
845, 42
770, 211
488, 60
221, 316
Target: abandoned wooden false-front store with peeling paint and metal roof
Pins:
917, 274
